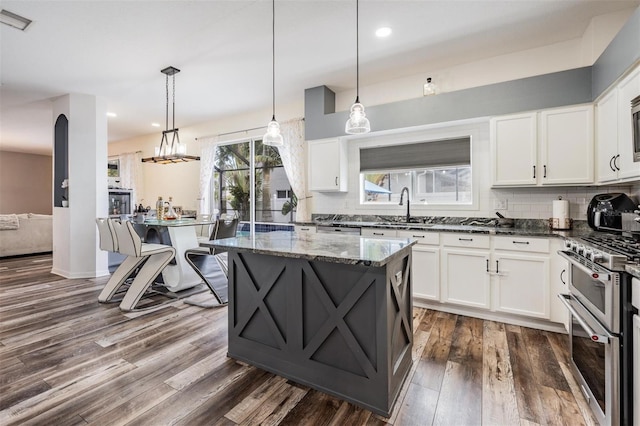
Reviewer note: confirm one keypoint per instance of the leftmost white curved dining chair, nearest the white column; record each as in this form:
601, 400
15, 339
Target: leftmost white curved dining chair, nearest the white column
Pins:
109, 242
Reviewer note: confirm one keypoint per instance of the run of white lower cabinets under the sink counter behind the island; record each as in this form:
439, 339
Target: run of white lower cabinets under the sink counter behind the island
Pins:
509, 275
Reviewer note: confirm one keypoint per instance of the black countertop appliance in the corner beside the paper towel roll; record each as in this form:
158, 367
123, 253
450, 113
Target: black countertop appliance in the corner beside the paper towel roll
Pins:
605, 211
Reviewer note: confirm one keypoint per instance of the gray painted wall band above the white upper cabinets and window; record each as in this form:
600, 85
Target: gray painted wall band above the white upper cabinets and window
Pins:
576, 86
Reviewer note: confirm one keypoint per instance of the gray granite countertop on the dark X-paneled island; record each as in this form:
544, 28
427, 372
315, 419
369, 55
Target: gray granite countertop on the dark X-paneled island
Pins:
347, 249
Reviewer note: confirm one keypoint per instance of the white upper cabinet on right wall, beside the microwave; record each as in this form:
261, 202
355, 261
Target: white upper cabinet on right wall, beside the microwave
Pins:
614, 137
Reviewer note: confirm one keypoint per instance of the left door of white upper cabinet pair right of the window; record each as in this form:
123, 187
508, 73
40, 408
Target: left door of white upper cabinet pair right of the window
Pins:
514, 142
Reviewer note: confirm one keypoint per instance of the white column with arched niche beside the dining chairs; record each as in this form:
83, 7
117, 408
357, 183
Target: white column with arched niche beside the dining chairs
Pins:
75, 235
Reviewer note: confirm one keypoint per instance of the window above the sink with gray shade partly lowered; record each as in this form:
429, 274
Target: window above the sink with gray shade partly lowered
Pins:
435, 172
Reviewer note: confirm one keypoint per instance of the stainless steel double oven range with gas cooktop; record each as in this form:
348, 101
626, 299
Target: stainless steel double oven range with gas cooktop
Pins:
601, 322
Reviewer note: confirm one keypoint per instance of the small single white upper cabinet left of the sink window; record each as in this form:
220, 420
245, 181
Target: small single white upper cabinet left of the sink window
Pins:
327, 162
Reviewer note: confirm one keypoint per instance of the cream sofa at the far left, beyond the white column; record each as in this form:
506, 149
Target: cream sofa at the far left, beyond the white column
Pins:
25, 233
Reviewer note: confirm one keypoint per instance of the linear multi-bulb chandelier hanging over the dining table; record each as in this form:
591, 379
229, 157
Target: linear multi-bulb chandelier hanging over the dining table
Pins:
174, 152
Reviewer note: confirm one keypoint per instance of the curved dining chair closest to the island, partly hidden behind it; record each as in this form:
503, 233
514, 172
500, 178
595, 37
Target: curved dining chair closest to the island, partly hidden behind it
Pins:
210, 264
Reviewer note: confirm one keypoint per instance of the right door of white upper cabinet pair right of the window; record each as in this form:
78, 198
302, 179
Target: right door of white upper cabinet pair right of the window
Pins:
566, 136
